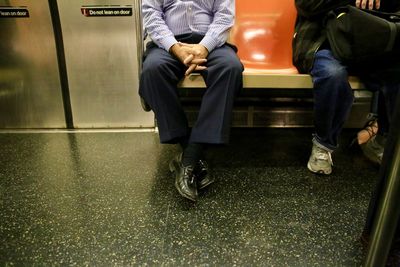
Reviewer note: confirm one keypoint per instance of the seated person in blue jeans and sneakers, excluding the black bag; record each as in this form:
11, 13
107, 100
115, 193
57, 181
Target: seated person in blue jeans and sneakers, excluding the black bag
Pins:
333, 97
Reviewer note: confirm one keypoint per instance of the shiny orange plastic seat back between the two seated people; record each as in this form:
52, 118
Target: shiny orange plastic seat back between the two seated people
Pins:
263, 33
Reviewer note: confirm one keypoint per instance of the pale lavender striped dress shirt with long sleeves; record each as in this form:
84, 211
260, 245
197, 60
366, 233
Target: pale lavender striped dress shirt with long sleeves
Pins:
164, 19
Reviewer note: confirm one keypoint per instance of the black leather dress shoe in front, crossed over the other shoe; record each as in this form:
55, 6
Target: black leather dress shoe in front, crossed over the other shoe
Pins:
185, 180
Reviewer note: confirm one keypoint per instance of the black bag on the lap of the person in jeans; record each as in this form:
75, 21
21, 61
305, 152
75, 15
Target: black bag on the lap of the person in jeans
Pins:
359, 37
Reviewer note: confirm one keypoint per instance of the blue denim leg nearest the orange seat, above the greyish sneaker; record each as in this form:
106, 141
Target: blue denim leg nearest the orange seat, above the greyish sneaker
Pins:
333, 98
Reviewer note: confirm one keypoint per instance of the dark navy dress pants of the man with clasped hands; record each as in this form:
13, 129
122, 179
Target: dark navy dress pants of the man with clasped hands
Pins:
158, 86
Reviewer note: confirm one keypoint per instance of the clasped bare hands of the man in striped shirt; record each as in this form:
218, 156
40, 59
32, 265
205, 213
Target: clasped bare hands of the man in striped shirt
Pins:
191, 55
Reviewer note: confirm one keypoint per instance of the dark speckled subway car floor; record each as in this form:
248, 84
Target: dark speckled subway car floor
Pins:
108, 198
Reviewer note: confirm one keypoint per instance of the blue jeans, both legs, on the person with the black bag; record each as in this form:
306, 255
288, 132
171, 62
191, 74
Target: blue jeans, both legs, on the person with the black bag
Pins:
333, 98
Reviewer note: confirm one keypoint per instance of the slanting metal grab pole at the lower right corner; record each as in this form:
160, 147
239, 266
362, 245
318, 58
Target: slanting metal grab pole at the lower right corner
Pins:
387, 216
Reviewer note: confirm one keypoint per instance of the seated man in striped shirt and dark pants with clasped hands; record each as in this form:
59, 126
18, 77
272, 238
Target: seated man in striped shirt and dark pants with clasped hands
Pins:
189, 36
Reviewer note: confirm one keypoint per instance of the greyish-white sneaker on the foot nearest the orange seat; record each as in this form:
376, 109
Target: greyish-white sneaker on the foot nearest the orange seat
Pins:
320, 161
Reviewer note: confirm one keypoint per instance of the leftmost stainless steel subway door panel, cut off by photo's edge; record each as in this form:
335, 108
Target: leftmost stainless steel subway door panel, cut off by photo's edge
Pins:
30, 90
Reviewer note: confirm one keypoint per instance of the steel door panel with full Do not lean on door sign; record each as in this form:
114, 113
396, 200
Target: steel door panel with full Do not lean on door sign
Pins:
101, 53
